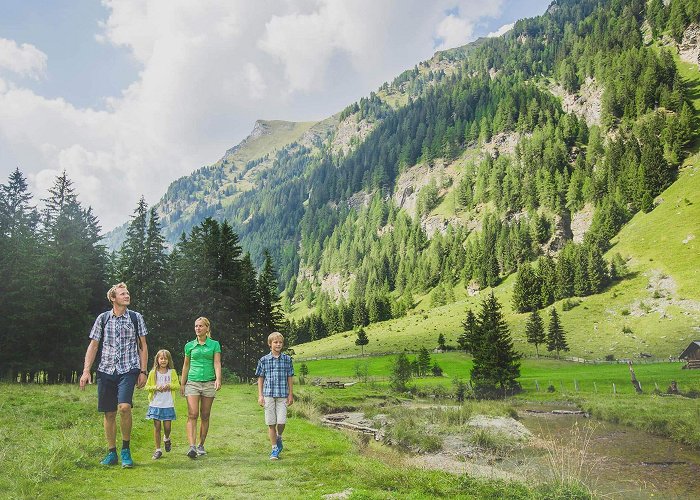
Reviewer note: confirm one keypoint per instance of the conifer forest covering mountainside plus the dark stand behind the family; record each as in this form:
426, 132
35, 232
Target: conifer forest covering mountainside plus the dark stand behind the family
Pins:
300, 222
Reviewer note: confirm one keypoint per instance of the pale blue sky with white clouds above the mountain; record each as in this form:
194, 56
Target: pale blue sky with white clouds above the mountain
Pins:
128, 95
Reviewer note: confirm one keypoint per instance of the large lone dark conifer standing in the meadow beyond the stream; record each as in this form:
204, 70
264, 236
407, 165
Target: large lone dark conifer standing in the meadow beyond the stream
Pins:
496, 364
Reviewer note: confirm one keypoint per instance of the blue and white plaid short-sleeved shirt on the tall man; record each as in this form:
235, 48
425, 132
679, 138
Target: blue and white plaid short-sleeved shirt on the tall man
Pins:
119, 351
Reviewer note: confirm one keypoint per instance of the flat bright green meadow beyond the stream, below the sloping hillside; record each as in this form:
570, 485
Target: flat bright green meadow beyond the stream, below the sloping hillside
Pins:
589, 386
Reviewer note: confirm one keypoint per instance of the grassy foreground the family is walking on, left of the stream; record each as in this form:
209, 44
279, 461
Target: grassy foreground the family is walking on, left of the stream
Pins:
54, 440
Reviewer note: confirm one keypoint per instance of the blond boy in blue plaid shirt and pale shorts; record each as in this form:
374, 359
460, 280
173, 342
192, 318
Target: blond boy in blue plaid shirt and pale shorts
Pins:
275, 372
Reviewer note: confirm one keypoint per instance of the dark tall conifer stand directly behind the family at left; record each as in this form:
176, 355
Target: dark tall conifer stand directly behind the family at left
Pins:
55, 273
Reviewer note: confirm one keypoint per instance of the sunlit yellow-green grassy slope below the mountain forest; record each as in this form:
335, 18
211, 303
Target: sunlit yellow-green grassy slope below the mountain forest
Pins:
655, 310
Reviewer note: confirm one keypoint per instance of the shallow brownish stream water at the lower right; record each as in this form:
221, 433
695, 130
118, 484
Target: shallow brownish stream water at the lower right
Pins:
614, 461
